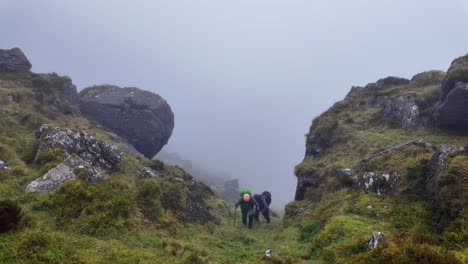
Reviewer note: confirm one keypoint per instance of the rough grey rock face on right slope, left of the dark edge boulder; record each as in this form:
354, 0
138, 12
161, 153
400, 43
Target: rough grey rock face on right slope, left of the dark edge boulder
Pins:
403, 109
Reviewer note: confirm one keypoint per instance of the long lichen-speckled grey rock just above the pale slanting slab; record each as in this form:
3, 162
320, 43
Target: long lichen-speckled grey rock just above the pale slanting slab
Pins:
88, 148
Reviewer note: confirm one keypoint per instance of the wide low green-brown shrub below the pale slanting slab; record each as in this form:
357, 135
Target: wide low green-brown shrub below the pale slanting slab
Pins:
92, 208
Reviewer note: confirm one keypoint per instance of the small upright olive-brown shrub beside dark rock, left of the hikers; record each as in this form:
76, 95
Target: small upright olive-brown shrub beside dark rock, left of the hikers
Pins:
149, 199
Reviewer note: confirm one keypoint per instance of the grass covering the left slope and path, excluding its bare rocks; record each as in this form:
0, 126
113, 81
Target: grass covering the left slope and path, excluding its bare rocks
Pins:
45, 236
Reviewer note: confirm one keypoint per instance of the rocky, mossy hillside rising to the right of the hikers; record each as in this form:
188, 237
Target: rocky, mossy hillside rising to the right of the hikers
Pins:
390, 157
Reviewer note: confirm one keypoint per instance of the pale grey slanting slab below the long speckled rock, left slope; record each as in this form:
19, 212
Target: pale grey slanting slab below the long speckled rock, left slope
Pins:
65, 171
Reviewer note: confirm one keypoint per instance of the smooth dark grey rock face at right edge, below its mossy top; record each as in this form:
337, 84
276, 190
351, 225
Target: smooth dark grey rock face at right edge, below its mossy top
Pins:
453, 111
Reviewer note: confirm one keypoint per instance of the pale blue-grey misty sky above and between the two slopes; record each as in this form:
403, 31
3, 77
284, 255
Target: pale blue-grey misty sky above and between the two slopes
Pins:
246, 77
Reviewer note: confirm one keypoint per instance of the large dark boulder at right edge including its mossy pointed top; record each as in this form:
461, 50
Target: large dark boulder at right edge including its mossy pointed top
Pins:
452, 108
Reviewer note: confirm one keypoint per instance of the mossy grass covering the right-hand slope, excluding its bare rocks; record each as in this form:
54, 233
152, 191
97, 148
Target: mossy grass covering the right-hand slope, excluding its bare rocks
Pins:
354, 132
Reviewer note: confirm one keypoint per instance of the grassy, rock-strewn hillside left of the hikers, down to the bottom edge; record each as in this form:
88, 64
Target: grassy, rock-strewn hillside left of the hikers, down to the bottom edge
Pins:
73, 190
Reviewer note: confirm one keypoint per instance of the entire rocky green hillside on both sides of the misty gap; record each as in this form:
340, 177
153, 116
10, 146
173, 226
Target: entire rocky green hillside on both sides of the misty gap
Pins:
390, 157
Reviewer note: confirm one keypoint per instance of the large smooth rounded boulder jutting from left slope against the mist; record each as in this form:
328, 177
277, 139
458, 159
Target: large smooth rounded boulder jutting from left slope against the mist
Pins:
143, 118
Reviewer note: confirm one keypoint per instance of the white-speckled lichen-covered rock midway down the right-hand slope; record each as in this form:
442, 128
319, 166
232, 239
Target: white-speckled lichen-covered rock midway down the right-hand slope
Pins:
378, 182
